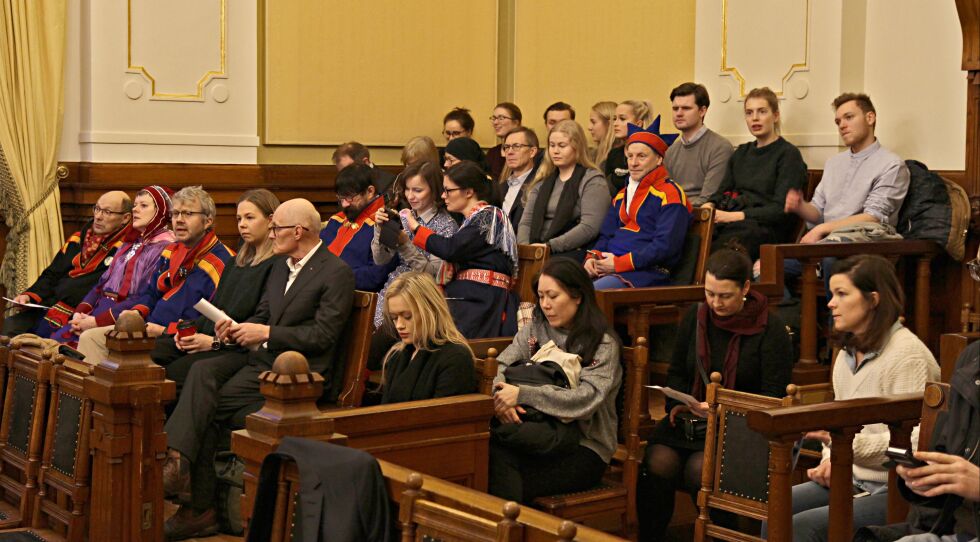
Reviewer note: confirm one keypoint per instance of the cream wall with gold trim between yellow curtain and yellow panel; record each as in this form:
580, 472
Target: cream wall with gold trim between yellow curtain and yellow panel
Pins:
145, 82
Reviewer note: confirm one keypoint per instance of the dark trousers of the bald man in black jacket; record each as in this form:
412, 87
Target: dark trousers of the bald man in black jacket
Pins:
218, 393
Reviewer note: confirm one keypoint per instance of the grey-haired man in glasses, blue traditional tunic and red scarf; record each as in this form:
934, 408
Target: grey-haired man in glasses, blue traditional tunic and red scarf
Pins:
187, 271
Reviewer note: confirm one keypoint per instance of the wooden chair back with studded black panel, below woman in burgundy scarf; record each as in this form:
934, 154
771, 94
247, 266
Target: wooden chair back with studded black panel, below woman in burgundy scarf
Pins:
736, 460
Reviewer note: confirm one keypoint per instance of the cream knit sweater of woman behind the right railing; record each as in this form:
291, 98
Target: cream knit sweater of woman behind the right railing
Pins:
904, 365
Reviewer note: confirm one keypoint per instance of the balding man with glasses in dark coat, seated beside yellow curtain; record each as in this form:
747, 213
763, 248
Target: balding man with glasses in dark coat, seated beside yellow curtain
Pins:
76, 268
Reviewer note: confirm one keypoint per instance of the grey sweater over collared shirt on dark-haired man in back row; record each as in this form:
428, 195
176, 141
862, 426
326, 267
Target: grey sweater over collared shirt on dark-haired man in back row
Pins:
699, 166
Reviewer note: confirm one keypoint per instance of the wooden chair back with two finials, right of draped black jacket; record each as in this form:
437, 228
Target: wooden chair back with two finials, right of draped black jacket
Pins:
422, 519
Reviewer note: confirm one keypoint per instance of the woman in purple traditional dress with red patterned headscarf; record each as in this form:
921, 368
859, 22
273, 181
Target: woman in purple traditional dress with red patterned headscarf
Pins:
133, 269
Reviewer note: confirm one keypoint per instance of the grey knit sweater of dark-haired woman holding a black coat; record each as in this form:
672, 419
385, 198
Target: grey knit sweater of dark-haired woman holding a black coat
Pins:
592, 403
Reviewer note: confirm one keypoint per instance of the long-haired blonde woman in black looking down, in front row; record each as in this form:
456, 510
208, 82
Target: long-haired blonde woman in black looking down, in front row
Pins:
432, 358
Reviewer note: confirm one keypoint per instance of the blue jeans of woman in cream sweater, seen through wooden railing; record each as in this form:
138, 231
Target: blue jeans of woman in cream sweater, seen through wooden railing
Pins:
811, 509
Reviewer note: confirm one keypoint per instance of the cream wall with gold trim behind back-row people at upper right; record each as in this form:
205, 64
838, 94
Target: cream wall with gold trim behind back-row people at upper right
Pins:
904, 53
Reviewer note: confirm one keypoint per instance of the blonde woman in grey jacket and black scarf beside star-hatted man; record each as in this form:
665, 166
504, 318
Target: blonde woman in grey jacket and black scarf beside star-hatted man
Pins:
568, 198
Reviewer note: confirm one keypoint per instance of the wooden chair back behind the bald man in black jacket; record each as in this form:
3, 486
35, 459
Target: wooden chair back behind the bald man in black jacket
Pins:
359, 330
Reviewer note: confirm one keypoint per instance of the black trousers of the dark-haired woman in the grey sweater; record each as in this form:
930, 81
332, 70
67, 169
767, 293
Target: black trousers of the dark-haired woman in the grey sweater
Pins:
520, 477
